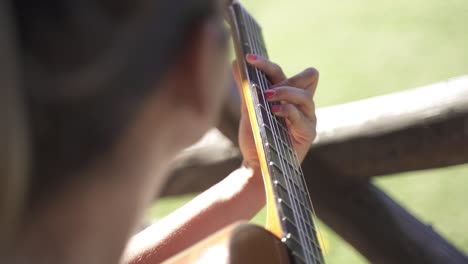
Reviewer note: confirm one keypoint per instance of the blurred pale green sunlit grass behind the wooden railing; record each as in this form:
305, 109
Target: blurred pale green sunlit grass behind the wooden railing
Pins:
368, 48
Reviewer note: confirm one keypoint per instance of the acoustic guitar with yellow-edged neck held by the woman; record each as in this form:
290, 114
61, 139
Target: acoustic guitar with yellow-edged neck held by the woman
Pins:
291, 235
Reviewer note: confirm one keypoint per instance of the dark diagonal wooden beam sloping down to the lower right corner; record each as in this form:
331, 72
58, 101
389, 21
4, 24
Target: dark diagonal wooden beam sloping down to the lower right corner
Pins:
374, 224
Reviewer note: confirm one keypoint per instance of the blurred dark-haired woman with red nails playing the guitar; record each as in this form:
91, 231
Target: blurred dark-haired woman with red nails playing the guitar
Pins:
113, 90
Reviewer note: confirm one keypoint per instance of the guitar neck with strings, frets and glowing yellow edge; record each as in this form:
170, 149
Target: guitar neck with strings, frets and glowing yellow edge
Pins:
289, 208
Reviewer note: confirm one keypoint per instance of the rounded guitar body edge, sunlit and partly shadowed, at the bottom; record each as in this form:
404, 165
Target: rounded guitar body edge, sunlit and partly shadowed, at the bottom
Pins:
240, 243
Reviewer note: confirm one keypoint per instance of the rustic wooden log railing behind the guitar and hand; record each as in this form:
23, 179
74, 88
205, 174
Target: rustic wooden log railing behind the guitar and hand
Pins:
419, 129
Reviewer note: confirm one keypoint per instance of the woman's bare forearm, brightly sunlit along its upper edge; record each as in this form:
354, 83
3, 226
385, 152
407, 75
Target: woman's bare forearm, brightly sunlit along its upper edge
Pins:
238, 197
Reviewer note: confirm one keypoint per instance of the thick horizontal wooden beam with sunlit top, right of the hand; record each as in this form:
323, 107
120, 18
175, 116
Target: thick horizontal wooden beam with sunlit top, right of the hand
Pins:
418, 129
